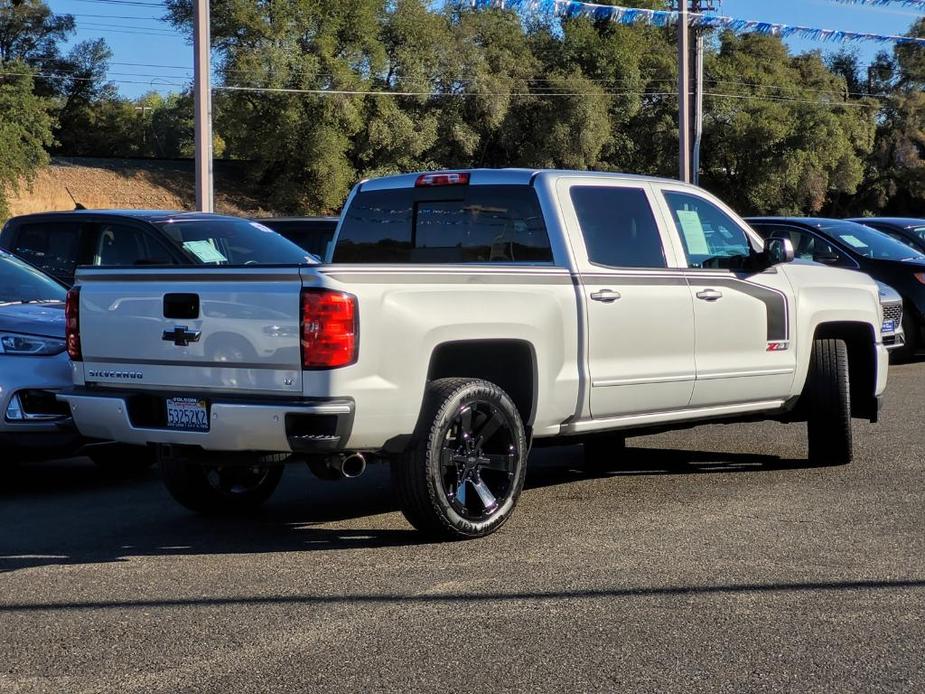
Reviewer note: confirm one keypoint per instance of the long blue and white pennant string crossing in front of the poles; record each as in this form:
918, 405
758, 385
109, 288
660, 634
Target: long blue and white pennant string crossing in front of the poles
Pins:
626, 15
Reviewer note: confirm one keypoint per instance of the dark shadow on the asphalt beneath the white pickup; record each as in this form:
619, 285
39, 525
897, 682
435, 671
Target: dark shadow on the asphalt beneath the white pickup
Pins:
67, 513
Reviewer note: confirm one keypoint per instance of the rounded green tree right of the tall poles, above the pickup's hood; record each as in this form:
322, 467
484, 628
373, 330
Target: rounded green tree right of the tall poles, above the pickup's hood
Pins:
785, 137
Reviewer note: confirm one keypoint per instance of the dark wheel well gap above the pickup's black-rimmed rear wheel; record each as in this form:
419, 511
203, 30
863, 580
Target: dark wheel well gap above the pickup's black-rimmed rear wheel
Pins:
509, 364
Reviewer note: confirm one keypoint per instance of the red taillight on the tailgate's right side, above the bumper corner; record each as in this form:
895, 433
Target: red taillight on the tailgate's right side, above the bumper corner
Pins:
330, 329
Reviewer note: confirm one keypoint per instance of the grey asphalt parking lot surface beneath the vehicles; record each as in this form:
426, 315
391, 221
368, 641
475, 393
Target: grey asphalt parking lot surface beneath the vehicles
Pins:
714, 560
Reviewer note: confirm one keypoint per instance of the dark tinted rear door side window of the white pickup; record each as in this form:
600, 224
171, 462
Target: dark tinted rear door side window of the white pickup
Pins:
618, 226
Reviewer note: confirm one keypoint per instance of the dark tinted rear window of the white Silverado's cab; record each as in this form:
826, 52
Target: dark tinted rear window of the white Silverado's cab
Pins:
446, 224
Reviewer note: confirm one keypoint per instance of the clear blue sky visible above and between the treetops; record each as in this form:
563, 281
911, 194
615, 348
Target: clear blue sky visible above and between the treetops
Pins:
148, 54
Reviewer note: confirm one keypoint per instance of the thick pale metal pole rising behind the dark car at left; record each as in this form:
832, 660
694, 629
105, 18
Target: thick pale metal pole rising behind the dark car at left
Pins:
202, 105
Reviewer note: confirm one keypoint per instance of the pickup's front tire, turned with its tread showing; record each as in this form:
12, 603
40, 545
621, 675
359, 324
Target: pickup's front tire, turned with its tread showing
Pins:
829, 404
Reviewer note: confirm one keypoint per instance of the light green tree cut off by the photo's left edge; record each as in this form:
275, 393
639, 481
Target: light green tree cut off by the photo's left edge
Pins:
25, 130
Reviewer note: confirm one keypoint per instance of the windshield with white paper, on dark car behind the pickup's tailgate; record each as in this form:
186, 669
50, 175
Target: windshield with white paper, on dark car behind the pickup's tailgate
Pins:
233, 242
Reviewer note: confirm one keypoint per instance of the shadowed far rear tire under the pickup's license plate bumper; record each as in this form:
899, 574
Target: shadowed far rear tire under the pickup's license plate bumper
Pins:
219, 489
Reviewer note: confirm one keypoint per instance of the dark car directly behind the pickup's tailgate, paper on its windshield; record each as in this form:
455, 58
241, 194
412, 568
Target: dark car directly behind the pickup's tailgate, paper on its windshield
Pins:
58, 242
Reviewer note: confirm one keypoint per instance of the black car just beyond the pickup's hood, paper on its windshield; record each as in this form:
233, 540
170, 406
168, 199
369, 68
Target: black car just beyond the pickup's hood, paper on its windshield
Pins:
856, 246
